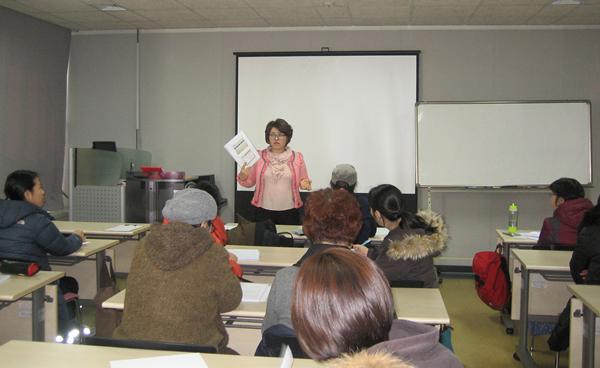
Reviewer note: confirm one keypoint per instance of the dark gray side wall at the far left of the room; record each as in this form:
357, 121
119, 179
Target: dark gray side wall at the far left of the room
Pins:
33, 78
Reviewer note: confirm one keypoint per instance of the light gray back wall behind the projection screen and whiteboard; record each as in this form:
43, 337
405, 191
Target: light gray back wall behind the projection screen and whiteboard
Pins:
188, 97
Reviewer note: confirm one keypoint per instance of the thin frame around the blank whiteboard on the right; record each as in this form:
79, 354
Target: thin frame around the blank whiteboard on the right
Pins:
521, 186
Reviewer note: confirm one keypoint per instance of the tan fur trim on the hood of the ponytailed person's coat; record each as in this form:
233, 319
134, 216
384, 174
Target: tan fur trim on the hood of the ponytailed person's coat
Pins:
415, 244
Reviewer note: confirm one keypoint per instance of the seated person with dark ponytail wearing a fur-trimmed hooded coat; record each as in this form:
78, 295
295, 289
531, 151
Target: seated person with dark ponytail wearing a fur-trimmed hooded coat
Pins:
406, 253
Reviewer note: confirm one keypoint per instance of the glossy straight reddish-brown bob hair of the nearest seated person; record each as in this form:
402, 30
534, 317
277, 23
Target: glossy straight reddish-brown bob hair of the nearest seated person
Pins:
341, 303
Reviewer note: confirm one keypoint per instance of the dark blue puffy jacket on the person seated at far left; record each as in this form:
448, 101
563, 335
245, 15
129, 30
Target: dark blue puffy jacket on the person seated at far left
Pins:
28, 234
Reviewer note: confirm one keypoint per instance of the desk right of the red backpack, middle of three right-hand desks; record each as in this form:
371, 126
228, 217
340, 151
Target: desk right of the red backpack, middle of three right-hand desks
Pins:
553, 266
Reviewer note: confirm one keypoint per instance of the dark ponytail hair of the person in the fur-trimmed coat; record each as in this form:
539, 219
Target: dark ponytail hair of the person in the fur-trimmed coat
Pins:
387, 199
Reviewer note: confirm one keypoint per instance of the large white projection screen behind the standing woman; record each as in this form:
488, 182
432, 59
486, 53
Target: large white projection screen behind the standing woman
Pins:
344, 108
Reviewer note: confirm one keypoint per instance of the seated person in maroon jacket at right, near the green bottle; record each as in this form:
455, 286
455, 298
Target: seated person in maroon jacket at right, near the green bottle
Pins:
569, 203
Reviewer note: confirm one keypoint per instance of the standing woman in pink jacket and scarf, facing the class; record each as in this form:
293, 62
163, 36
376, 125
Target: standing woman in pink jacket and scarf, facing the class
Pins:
278, 175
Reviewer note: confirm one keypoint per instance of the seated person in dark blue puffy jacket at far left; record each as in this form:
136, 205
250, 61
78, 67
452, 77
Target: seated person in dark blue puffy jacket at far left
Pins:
27, 232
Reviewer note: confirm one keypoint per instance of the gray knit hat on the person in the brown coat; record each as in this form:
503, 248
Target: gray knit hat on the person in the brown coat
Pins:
192, 206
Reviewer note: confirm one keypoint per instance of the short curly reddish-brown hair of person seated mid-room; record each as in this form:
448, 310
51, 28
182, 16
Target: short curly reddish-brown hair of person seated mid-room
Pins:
332, 216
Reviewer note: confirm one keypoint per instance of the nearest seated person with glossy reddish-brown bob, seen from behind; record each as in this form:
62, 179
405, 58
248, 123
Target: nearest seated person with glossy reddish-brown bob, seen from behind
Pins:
342, 303
